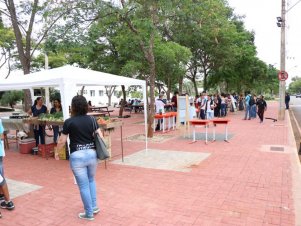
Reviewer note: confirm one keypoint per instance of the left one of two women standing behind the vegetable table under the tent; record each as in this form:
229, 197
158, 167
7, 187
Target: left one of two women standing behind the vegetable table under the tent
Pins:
39, 130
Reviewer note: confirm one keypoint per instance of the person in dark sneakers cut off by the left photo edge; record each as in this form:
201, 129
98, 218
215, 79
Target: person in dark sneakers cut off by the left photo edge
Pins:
5, 201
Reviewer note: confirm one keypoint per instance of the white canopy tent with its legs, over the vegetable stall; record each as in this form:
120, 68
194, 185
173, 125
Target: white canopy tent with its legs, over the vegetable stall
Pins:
68, 79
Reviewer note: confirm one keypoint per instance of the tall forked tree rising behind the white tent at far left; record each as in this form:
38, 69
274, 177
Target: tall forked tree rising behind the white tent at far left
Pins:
31, 22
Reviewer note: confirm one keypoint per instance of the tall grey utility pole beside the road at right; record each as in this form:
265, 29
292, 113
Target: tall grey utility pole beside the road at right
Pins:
281, 112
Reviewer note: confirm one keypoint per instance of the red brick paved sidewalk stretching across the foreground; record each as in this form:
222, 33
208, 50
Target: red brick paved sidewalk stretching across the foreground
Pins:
240, 183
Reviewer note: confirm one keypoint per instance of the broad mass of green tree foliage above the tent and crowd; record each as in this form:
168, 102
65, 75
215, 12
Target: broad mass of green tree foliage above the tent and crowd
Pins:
201, 40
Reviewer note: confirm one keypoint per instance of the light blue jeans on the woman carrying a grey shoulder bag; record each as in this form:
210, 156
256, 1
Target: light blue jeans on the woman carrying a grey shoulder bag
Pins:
84, 164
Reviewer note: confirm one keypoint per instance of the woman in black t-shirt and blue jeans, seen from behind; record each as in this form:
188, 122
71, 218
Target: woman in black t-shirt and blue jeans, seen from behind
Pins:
83, 162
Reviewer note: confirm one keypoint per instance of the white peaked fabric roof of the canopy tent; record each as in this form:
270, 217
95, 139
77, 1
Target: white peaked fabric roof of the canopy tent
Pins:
67, 75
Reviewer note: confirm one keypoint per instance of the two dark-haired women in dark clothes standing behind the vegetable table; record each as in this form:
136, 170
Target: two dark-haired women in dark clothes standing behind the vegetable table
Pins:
39, 108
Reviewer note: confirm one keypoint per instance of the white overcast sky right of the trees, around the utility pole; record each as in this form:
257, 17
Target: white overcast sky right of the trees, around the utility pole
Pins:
260, 16
